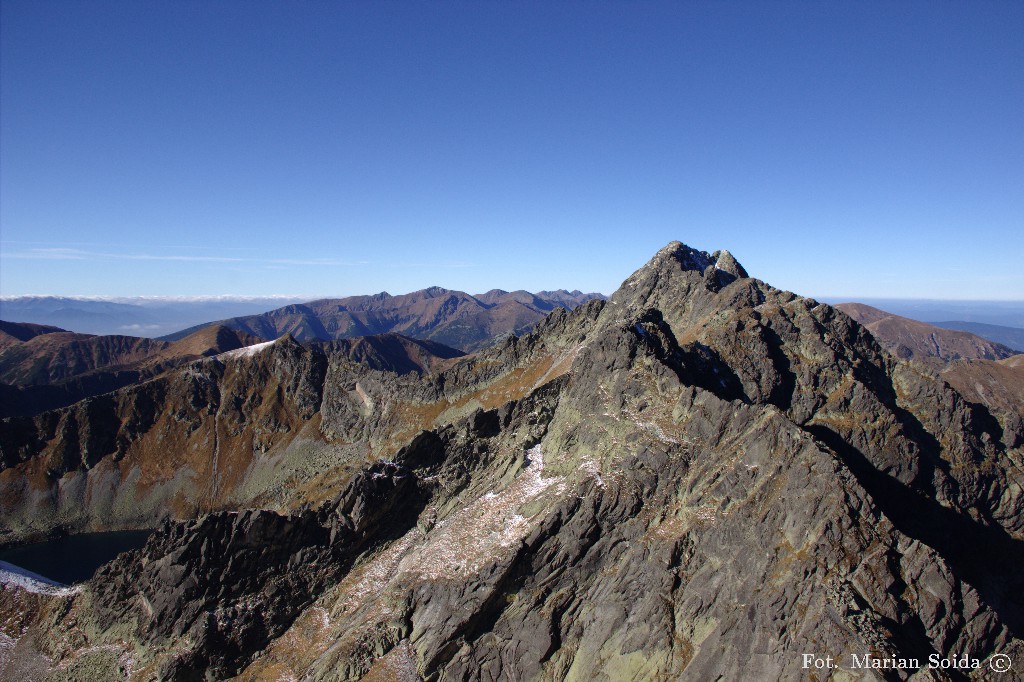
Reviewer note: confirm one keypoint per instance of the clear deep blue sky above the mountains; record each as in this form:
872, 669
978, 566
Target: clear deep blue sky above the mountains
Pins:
837, 149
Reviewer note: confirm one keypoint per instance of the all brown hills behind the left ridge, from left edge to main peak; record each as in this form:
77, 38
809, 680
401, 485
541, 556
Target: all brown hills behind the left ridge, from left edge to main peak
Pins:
47, 367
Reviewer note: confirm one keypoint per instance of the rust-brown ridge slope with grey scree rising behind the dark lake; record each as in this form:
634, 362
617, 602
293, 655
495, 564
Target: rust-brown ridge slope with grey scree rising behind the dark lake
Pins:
278, 424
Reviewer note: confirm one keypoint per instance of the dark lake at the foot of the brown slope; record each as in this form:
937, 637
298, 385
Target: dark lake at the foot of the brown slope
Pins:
74, 559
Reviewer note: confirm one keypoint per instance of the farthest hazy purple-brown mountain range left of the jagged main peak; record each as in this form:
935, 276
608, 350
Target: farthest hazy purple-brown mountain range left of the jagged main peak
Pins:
452, 318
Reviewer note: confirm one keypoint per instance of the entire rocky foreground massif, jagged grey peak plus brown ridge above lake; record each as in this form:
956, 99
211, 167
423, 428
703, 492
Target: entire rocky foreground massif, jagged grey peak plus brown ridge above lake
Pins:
704, 478
